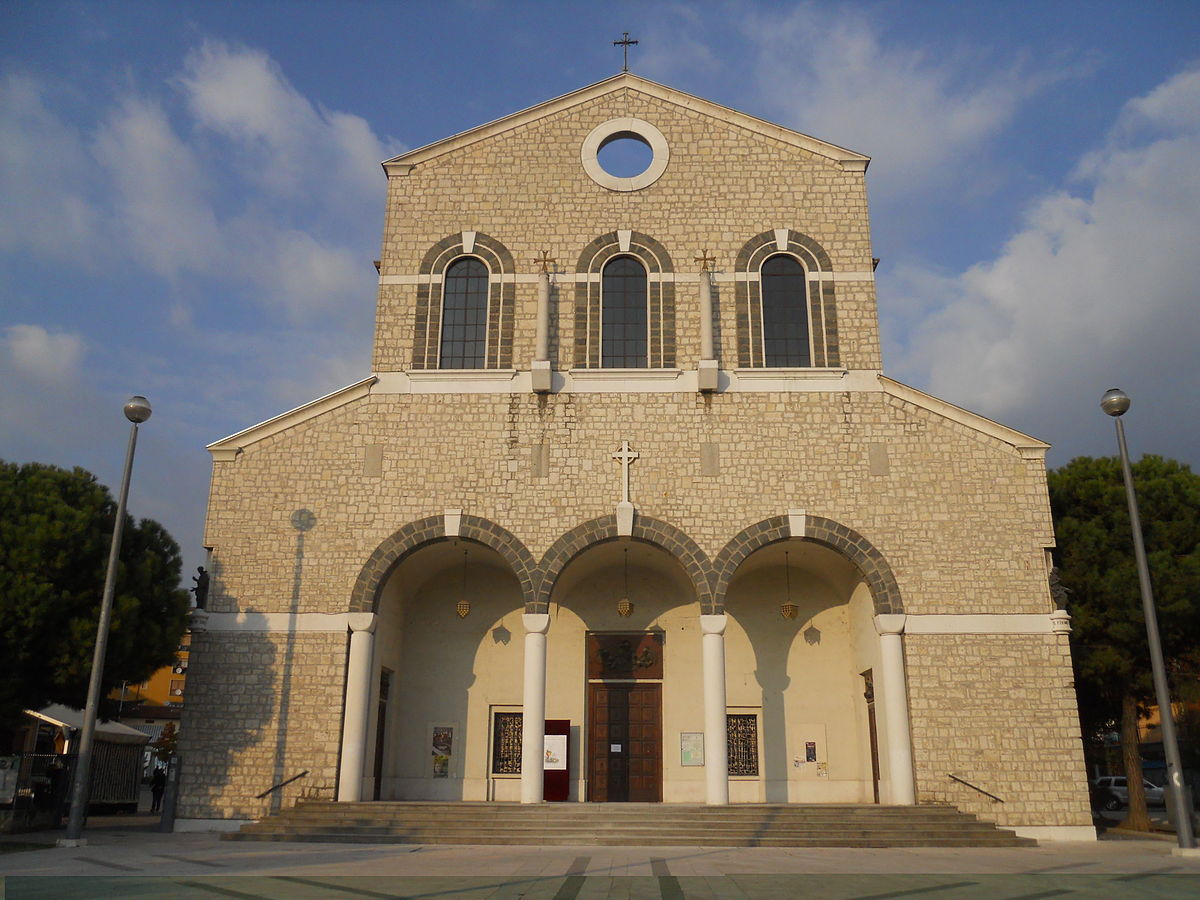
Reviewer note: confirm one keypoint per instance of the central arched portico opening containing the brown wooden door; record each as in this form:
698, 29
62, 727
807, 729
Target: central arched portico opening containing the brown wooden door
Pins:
623, 662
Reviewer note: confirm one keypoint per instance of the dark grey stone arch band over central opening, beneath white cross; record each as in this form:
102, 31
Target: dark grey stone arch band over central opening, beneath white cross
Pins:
646, 530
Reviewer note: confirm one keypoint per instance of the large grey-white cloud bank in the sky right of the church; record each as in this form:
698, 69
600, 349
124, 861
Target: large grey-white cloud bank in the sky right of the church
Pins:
1099, 287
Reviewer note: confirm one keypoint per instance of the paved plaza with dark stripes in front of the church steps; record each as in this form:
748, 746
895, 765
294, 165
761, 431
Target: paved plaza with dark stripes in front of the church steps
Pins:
131, 860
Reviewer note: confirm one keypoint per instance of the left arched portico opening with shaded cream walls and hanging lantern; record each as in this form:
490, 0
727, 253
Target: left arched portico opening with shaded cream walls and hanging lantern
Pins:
448, 658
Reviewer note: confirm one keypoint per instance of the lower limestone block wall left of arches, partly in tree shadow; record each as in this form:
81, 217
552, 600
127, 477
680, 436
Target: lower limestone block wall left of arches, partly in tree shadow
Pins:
263, 707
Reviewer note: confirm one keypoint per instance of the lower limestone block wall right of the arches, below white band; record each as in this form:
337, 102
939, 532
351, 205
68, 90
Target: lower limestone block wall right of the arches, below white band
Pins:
998, 711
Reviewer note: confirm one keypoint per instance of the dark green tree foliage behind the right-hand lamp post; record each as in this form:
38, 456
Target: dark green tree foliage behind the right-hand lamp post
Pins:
1096, 562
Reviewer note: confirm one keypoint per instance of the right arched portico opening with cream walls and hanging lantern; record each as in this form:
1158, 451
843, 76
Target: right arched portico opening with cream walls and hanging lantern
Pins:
801, 651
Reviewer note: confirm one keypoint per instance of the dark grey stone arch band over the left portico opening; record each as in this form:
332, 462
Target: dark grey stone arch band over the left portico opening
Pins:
415, 536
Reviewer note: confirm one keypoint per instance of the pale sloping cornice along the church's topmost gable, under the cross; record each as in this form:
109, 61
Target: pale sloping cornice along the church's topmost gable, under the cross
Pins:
848, 159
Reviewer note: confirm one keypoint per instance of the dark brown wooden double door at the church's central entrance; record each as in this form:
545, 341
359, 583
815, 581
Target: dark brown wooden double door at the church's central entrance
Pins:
626, 742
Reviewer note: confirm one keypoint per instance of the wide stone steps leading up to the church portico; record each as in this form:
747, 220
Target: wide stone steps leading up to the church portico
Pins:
631, 825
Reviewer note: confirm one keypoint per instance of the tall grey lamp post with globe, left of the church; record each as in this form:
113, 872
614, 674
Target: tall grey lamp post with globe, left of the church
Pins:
137, 411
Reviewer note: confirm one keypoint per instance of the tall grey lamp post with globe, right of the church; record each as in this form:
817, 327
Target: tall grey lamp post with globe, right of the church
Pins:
1117, 403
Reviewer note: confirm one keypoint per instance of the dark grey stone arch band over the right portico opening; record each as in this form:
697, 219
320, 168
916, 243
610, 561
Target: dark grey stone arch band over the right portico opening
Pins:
875, 569
